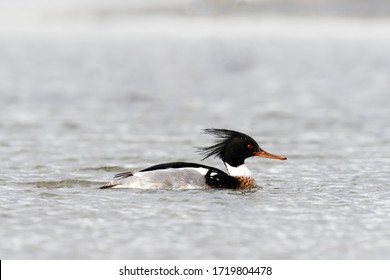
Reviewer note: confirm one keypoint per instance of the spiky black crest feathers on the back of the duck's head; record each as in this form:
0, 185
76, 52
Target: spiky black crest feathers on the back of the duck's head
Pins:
223, 136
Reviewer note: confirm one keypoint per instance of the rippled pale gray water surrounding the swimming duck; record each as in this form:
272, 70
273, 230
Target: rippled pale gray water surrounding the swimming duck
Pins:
78, 108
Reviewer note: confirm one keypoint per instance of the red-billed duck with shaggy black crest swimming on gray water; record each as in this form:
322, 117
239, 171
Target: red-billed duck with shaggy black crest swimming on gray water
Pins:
232, 148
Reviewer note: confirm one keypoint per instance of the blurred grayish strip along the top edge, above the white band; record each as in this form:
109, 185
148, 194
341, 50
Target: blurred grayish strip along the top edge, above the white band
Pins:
102, 9
